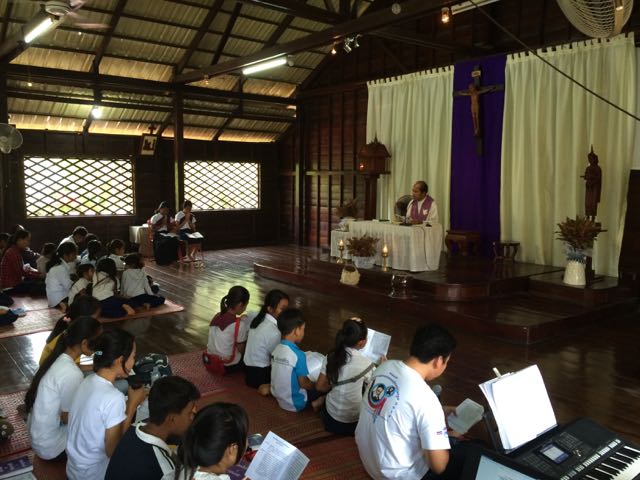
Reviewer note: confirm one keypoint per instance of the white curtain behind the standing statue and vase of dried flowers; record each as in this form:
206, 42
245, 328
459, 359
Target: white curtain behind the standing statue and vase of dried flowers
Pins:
549, 126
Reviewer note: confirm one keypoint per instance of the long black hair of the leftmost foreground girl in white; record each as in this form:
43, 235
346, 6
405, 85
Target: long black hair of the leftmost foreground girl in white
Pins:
82, 328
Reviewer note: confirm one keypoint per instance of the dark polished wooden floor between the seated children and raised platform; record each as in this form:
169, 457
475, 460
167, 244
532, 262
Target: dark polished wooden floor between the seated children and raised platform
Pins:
594, 373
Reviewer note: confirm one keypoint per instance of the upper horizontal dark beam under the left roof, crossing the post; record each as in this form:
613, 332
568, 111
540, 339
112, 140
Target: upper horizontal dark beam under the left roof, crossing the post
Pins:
132, 85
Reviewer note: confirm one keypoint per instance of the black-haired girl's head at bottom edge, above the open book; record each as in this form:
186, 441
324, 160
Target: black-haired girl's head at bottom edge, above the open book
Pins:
215, 442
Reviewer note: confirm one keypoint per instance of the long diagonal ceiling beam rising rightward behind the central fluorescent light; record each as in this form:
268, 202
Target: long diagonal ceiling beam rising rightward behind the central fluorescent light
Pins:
411, 9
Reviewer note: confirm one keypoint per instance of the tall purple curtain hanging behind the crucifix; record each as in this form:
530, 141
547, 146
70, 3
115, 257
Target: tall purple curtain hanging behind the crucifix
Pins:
475, 179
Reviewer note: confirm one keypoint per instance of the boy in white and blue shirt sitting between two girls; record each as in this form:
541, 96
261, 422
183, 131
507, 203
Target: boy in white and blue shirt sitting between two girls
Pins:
290, 384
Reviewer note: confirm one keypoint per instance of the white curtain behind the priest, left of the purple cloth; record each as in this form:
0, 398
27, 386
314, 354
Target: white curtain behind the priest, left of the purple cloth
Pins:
411, 116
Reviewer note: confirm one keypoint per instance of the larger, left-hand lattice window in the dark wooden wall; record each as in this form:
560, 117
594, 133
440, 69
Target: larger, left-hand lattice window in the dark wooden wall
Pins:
78, 186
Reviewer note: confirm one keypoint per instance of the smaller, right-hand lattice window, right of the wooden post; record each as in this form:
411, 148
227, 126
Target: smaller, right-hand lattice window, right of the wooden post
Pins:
222, 185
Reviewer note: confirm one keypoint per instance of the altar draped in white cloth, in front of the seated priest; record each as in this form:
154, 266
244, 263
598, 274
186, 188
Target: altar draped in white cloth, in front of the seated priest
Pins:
414, 248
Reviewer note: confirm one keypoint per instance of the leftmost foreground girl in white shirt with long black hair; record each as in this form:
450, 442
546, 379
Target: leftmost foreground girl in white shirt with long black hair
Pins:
48, 400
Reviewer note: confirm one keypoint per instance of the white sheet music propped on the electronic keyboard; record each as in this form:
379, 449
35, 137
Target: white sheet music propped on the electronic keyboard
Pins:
520, 405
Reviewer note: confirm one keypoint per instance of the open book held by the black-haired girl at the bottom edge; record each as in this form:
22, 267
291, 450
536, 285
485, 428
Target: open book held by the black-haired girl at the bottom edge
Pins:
277, 459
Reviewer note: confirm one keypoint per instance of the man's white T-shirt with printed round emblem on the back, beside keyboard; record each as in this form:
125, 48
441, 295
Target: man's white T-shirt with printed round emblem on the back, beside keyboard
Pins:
400, 418
